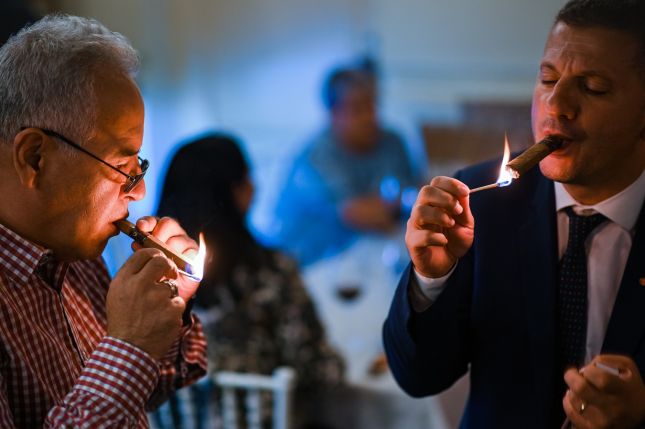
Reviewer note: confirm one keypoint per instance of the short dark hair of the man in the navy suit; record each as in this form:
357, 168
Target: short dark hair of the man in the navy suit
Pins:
627, 16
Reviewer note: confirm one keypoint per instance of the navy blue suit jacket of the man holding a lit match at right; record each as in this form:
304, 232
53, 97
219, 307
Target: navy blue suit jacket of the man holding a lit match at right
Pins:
497, 314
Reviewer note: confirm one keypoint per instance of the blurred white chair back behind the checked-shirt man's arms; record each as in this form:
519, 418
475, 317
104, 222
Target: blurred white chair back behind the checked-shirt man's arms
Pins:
279, 385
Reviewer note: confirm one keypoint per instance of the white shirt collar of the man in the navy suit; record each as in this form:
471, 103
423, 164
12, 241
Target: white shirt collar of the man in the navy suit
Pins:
622, 208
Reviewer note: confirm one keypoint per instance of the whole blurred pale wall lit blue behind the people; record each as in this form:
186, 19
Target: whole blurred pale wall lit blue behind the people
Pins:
254, 67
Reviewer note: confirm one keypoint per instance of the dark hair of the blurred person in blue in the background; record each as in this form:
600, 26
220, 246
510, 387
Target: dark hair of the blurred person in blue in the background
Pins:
341, 80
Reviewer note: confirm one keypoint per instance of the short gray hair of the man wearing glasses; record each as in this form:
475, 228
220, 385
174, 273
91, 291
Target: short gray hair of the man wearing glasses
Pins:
47, 74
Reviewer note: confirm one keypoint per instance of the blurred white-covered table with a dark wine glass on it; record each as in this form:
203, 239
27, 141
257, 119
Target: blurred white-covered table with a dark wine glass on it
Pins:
372, 267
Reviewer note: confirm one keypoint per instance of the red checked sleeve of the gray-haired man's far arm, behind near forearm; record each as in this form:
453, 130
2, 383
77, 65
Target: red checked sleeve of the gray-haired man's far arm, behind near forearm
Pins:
184, 363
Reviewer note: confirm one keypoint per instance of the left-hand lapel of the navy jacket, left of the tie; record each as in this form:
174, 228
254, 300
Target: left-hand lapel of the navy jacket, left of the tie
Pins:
539, 280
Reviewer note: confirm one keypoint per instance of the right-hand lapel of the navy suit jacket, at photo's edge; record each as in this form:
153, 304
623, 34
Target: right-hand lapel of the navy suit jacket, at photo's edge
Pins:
626, 327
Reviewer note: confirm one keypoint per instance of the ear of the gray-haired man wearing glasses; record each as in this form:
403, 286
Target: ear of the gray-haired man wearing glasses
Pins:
27, 156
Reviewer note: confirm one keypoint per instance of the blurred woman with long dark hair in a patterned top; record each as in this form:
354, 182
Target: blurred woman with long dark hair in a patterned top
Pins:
256, 312
